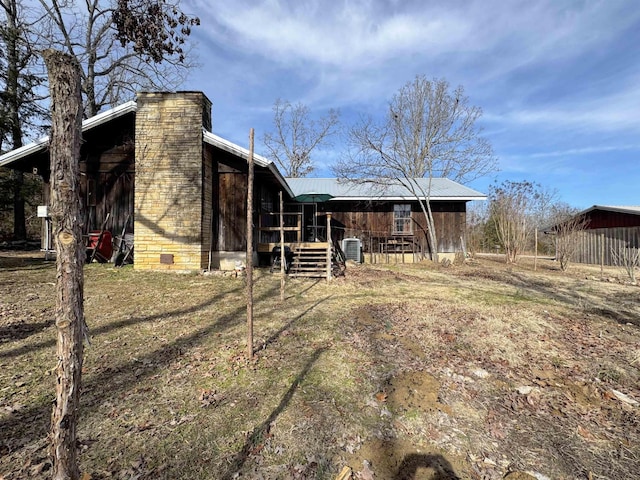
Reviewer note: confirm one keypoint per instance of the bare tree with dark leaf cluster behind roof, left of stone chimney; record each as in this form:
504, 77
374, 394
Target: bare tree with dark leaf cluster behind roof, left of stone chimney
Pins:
112, 41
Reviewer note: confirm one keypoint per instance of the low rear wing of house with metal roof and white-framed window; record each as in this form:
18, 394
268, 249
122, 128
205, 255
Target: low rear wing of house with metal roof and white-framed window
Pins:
390, 219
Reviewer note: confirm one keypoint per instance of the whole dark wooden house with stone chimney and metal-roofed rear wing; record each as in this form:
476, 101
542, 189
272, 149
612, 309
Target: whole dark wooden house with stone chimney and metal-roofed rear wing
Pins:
160, 173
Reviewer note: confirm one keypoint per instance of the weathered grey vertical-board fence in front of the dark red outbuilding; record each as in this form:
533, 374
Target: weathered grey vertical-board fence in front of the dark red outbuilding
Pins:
595, 246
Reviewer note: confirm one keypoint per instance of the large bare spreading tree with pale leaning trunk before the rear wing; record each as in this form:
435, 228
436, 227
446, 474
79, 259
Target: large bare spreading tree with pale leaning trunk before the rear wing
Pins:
429, 131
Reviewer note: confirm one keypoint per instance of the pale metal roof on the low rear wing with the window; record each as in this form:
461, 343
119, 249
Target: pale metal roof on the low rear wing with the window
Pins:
441, 189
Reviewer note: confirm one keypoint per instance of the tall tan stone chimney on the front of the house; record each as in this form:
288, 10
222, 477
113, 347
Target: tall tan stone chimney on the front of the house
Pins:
169, 220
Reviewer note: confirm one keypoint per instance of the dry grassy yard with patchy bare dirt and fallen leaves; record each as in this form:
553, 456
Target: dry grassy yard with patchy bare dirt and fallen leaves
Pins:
476, 371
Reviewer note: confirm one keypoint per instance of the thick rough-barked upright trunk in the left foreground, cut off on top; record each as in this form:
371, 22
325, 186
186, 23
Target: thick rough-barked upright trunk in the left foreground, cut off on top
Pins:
66, 121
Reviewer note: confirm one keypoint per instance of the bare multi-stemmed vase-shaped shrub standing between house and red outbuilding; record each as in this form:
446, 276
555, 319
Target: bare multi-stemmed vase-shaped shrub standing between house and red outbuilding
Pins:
512, 205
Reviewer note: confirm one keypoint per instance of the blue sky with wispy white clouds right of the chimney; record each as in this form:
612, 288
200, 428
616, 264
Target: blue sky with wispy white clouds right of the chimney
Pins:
558, 81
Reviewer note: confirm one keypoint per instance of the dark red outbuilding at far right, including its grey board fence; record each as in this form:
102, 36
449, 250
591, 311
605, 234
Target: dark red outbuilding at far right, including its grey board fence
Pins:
609, 230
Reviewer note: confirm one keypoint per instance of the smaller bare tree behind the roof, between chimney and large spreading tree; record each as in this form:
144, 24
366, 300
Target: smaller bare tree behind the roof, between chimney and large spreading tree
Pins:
296, 135
